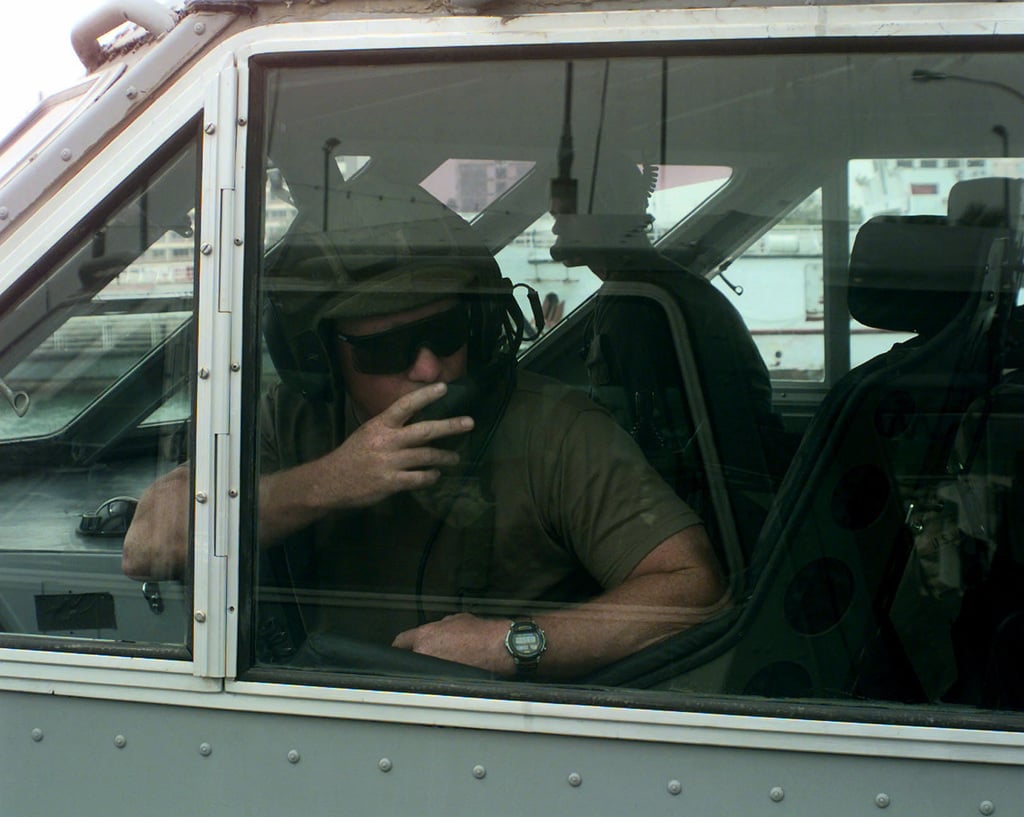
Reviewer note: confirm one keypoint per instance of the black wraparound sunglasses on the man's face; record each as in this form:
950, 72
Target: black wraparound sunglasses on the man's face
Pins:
397, 350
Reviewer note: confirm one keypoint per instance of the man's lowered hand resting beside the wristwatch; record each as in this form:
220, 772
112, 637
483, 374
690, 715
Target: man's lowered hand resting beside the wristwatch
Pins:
463, 638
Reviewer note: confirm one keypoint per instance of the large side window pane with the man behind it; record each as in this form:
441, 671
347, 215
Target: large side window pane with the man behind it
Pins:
851, 548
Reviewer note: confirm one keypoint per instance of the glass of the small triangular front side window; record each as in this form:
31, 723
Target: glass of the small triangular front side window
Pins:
97, 363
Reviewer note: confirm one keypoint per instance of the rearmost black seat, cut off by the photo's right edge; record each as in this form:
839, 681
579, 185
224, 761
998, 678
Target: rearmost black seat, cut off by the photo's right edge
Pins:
988, 461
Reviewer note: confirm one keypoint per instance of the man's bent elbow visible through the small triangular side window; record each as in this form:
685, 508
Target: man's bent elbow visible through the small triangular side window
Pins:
157, 543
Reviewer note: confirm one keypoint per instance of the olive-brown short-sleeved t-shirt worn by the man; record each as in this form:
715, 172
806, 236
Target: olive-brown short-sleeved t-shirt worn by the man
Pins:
561, 506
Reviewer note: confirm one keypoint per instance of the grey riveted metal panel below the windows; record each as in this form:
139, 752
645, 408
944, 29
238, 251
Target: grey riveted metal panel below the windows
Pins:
78, 757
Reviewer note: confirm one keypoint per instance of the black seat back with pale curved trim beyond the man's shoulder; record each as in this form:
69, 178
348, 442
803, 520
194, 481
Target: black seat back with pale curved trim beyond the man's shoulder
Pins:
695, 394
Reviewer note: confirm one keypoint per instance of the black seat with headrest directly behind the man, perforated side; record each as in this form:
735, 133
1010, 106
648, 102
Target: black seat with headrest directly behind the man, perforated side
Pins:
827, 578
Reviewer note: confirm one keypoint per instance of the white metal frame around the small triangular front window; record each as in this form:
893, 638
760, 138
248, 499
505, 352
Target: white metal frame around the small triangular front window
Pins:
105, 675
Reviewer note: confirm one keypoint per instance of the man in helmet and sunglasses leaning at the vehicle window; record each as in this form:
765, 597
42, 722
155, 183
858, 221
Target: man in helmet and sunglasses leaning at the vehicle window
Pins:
528, 527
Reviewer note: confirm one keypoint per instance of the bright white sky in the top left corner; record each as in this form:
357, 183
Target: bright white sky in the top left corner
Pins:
35, 40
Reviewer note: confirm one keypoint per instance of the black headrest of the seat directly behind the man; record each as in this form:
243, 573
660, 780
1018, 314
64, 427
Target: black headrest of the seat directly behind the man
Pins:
915, 274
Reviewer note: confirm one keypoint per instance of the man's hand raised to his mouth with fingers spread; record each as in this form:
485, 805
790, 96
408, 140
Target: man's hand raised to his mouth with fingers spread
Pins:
388, 455
